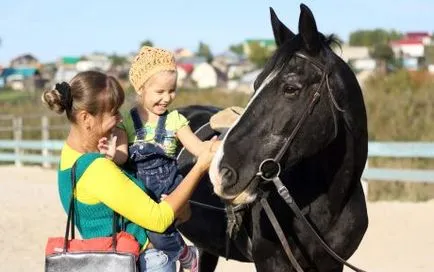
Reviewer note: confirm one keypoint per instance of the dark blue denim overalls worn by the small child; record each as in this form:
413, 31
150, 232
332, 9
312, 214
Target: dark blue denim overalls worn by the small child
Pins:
159, 172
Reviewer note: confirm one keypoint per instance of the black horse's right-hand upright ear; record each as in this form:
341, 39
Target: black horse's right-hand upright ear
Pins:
308, 30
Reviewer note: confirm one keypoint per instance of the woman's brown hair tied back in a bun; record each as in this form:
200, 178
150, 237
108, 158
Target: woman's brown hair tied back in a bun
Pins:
91, 91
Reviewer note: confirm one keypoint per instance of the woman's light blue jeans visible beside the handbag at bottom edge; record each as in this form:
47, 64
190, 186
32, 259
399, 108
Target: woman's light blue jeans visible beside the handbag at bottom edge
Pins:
154, 260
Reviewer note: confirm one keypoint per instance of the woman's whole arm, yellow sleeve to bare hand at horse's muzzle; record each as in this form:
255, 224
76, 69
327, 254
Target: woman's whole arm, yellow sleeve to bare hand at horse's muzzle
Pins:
104, 182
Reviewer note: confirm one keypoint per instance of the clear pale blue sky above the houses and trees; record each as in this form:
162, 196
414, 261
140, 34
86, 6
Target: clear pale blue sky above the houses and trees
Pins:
53, 28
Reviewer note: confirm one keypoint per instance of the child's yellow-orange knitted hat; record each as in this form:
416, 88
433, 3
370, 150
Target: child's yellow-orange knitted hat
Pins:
148, 62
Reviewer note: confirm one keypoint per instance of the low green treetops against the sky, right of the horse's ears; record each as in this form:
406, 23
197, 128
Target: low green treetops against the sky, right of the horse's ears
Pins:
373, 37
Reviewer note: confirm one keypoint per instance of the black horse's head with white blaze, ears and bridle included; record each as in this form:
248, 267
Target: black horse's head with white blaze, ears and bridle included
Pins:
295, 112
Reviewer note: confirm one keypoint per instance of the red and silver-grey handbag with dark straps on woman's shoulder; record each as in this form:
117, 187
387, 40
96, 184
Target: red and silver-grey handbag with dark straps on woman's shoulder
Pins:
117, 253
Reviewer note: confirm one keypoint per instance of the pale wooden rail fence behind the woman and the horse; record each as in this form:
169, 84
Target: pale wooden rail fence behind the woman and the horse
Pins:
44, 151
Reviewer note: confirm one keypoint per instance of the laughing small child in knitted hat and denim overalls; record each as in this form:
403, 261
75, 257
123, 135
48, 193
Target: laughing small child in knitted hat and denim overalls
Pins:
148, 137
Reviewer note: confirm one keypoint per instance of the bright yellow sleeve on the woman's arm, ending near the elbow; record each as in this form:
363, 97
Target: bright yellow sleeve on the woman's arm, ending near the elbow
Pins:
104, 182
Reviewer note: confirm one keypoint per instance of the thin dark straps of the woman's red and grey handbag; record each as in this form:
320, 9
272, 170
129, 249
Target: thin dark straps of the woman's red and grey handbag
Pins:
70, 221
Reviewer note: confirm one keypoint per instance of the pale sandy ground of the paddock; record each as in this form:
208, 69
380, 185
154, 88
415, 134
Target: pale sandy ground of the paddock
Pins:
400, 235
